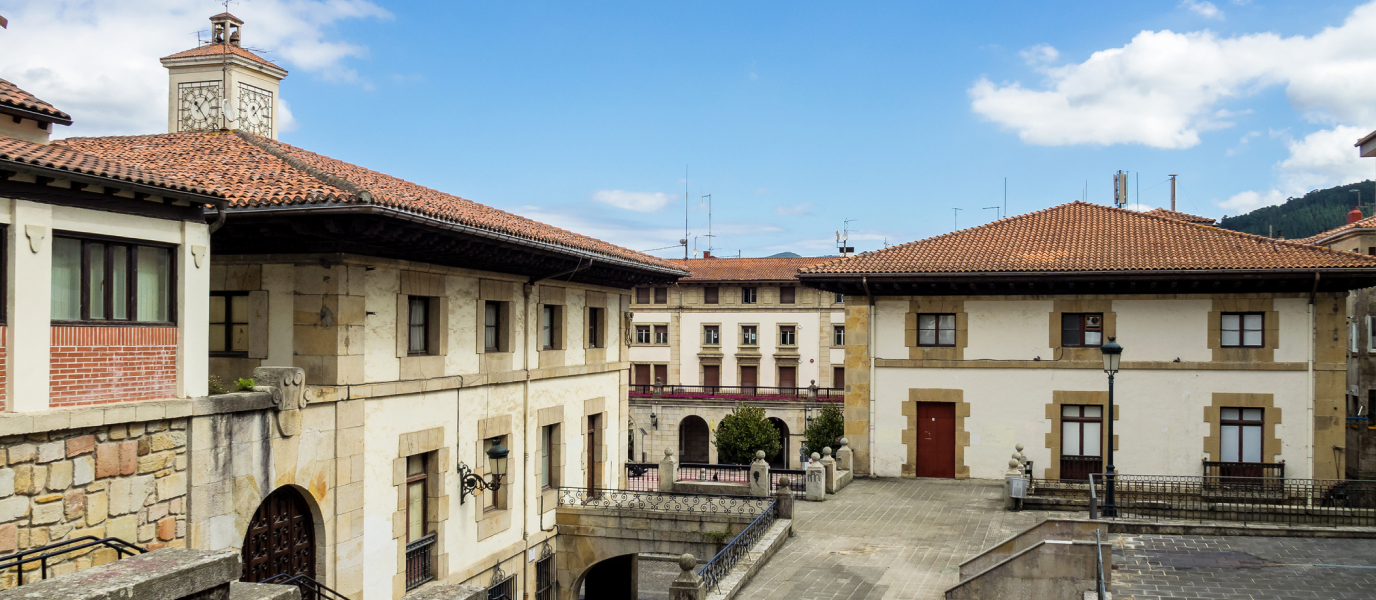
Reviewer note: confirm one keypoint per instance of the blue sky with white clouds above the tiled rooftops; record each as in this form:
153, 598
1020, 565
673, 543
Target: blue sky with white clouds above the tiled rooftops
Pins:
793, 116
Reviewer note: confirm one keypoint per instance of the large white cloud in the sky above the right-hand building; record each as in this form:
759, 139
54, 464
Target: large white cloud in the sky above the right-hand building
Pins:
1165, 89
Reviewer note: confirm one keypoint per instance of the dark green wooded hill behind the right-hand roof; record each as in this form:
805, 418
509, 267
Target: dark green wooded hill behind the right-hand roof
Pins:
1312, 214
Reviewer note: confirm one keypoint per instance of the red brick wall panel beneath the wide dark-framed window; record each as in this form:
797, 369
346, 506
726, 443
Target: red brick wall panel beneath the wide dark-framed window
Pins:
104, 365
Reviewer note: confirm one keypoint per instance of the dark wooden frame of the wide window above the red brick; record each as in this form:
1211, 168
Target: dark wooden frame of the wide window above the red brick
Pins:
133, 281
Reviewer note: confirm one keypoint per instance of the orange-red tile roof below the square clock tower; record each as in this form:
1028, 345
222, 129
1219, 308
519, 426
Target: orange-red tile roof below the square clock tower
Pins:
259, 173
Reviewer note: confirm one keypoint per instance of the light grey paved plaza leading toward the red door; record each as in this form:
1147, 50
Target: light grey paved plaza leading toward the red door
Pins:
887, 539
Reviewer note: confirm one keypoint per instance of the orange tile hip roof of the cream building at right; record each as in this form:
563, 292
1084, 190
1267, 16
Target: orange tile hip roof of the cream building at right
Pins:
1082, 237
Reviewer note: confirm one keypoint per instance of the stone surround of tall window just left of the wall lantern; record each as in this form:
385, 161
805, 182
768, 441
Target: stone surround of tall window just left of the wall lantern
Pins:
437, 500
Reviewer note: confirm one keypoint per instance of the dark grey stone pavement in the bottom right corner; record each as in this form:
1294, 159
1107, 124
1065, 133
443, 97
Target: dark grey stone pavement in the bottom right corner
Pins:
1157, 568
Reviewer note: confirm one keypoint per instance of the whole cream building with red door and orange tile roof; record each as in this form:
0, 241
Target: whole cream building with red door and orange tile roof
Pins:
963, 346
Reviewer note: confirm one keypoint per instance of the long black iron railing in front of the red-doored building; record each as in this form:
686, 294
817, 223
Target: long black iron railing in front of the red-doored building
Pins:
1250, 500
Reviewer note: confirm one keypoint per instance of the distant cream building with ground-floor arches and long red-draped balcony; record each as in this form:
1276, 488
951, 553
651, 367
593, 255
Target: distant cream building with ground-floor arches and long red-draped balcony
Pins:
734, 331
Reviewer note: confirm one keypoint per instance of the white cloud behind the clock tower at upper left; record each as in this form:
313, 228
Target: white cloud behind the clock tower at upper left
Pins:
100, 60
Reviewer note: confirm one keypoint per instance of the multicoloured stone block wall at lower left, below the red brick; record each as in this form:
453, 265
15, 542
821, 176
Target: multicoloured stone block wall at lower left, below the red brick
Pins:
126, 481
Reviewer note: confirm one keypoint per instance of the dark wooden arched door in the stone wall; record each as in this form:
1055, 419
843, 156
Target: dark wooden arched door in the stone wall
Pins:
281, 537
